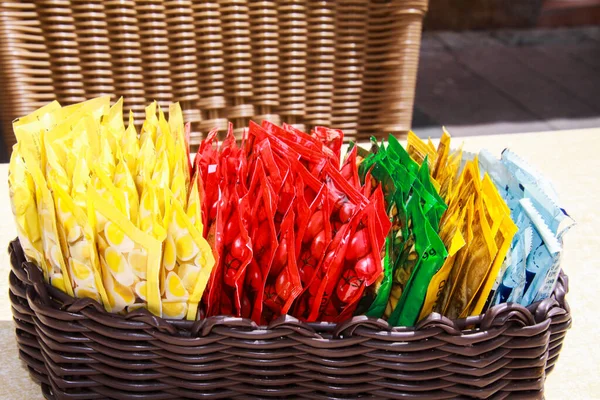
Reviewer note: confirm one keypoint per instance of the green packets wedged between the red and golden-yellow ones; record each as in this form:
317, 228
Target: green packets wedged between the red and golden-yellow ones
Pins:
405, 185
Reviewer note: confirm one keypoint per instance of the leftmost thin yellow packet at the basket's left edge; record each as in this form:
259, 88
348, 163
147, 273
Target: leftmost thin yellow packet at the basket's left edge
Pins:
21, 190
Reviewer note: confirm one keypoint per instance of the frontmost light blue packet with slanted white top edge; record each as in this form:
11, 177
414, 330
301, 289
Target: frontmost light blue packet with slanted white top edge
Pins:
543, 261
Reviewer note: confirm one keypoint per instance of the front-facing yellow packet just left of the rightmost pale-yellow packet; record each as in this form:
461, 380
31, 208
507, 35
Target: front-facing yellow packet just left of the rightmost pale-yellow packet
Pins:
128, 257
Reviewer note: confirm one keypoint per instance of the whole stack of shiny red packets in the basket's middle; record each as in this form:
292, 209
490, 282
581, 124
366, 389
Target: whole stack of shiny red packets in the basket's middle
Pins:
292, 232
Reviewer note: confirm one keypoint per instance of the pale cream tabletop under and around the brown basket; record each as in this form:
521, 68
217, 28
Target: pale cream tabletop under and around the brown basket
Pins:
569, 158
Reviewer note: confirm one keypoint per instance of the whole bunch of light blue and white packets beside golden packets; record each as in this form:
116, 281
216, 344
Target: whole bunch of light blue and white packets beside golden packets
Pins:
531, 268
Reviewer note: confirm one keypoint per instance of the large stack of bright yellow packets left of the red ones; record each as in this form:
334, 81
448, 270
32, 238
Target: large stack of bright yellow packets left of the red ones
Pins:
109, 215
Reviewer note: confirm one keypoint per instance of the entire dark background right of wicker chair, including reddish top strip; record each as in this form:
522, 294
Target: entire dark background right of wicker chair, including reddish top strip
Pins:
493, 66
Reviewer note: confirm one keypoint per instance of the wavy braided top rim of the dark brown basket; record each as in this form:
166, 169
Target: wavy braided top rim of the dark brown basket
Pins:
46, 300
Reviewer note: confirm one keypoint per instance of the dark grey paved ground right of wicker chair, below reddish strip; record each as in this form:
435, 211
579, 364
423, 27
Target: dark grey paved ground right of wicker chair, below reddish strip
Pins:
508, 81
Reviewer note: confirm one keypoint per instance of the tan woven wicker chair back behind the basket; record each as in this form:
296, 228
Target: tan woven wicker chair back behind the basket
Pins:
350, 64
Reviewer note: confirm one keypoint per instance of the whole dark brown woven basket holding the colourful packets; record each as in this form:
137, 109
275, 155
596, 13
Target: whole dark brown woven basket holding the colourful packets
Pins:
76, 350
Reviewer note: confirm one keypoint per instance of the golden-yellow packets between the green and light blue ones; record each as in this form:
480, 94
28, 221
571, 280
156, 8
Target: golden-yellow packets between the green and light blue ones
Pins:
476, 229
